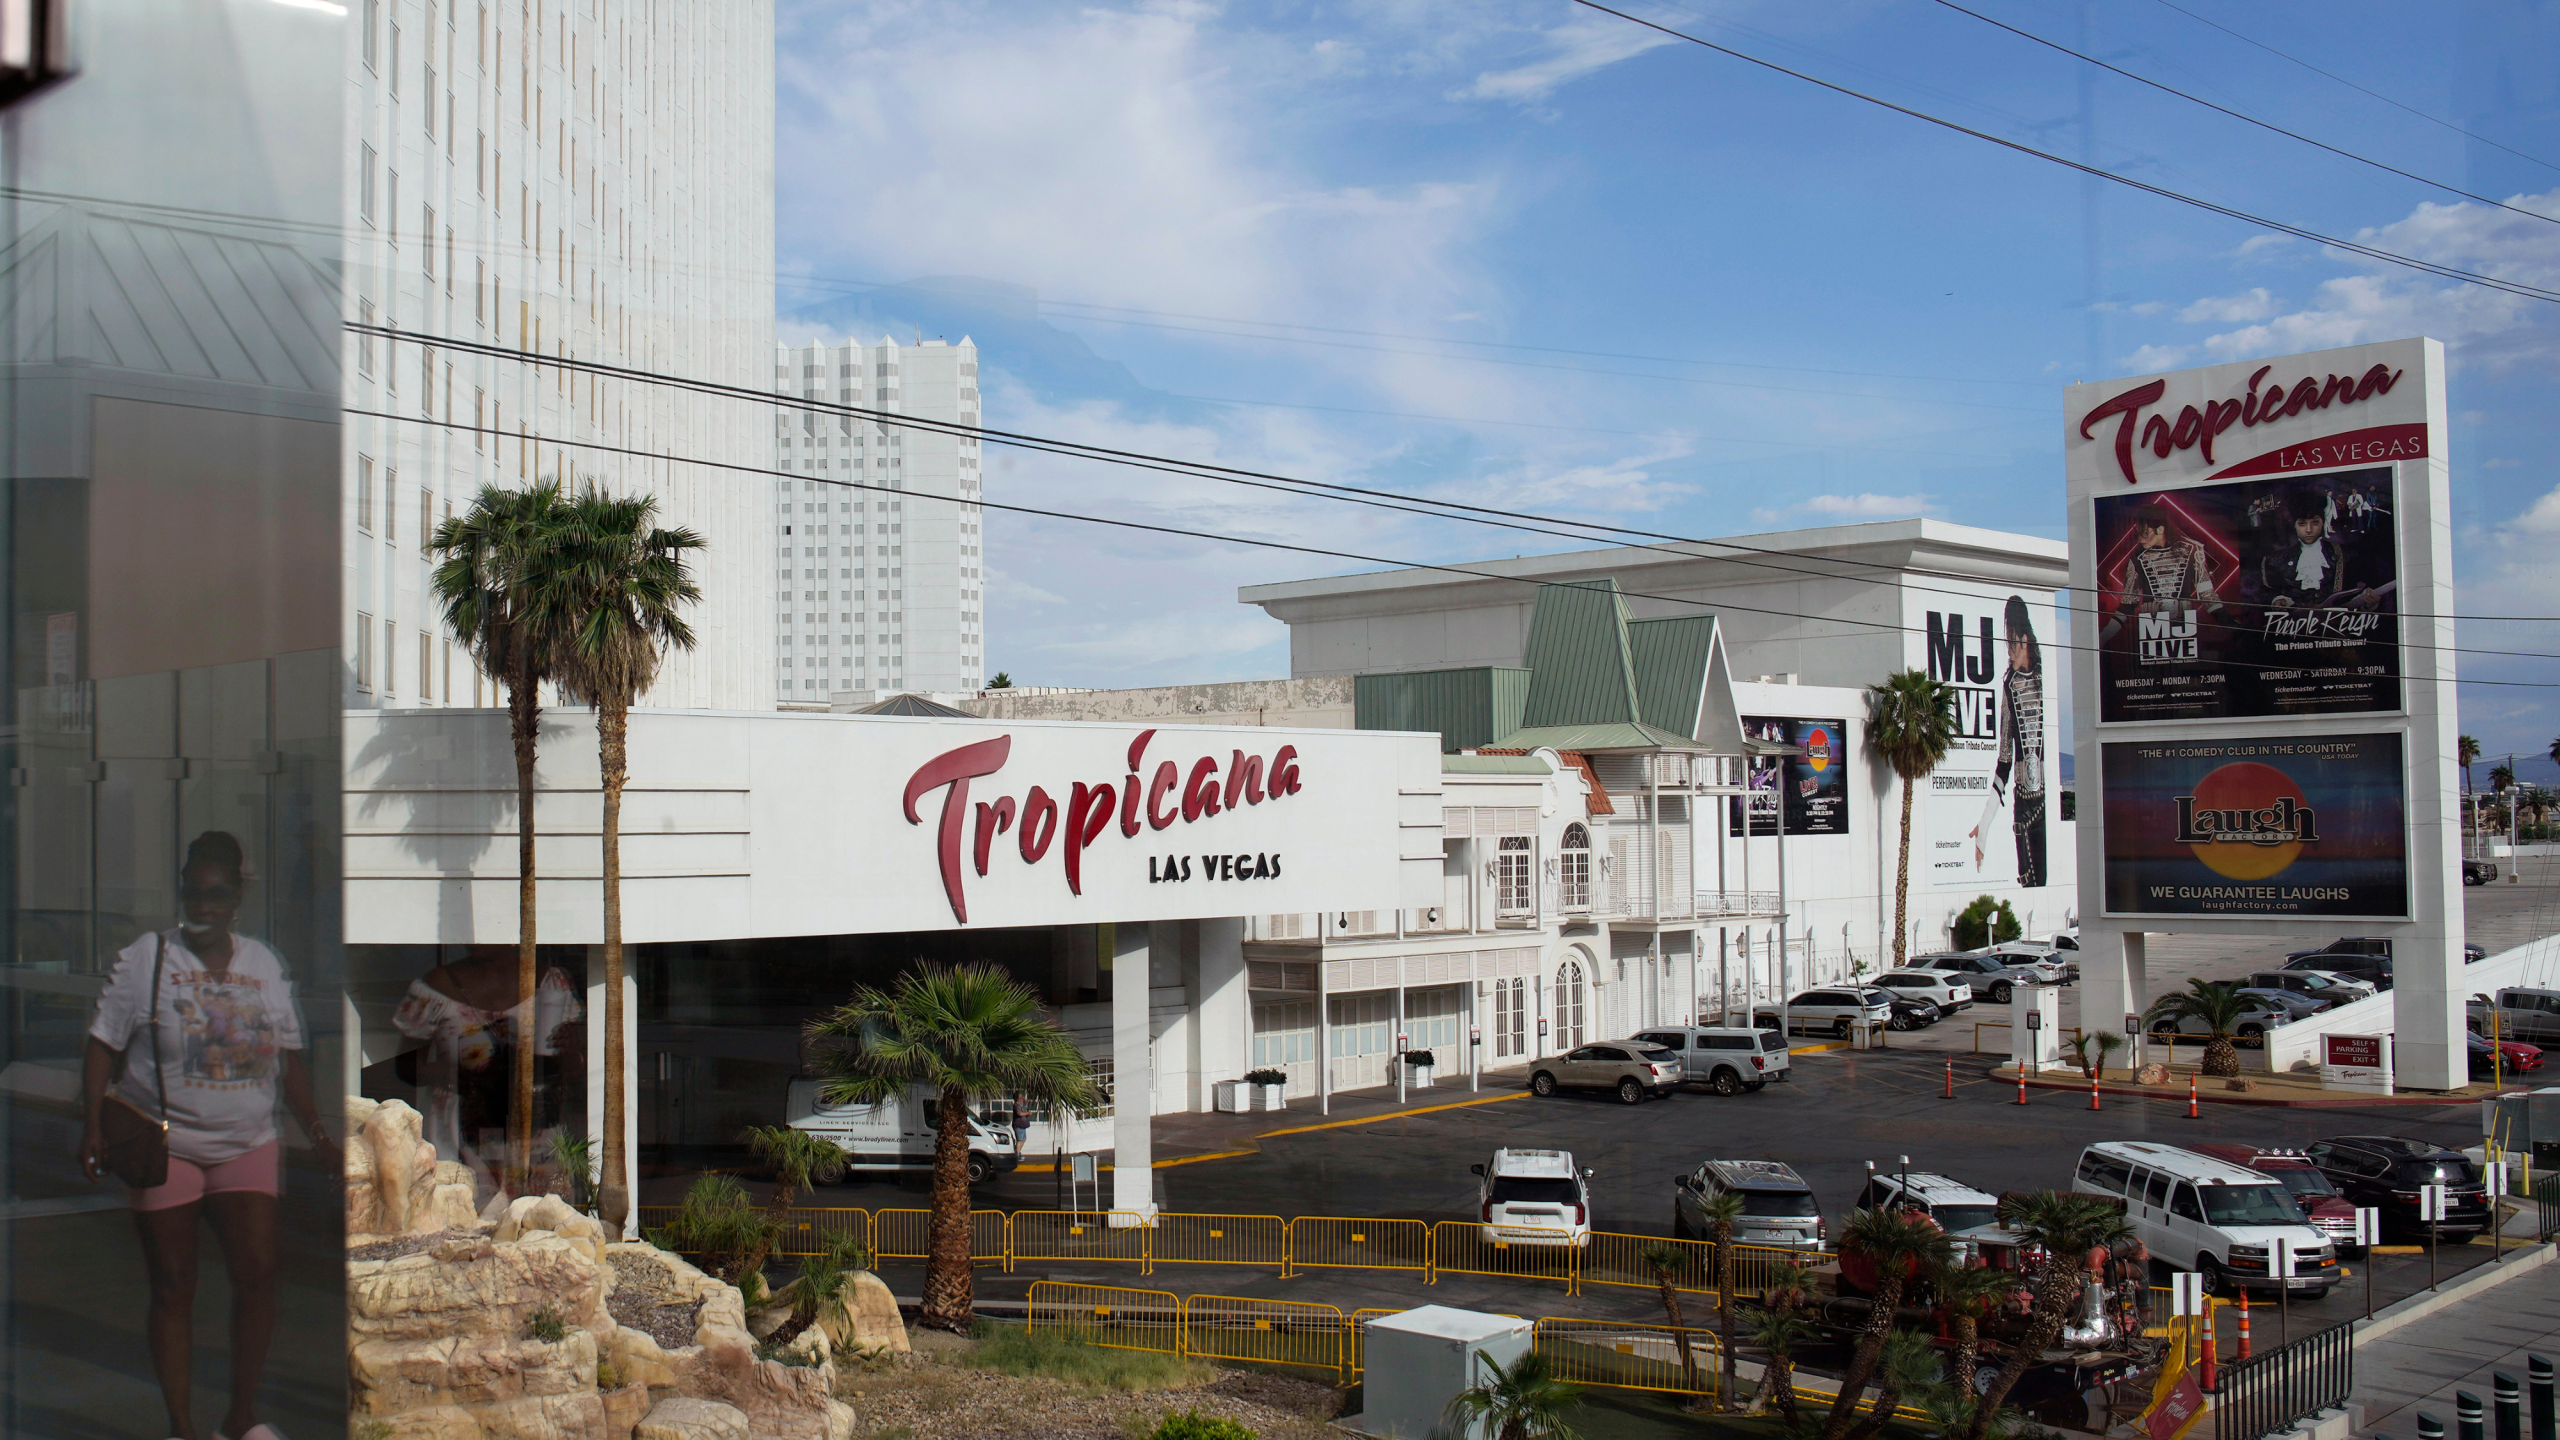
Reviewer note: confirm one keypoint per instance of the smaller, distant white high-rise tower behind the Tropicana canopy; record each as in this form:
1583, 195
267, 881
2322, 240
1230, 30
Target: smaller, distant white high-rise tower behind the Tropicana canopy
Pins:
879, 542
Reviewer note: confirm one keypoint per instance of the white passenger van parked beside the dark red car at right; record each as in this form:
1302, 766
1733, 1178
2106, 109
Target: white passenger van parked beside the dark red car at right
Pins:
2208, 1216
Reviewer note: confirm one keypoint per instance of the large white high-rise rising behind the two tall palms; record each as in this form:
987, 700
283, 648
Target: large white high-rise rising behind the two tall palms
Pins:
577, 181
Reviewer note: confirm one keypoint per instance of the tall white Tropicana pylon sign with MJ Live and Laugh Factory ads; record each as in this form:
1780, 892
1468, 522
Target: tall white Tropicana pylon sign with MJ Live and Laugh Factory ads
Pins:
2264, 578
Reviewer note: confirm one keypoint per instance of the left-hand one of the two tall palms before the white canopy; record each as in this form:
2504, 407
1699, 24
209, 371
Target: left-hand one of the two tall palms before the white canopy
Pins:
488, 568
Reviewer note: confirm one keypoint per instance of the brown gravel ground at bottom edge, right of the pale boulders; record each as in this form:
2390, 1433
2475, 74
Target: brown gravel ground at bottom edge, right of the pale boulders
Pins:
941, 1398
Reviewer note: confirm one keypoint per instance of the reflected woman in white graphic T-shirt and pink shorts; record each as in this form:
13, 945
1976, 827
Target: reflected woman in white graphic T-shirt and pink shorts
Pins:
232, 1039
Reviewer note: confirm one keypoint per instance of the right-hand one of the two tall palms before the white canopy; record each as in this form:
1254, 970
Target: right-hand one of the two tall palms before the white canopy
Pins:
621, 583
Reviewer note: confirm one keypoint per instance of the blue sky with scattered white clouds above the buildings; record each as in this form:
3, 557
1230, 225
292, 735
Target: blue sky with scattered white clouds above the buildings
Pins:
1530, 255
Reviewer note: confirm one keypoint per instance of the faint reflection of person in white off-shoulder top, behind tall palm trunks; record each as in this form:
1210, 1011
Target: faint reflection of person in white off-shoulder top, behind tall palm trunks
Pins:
470, 1016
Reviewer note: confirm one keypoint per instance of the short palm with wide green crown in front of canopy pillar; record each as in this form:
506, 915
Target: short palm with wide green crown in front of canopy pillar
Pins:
964, 1034
